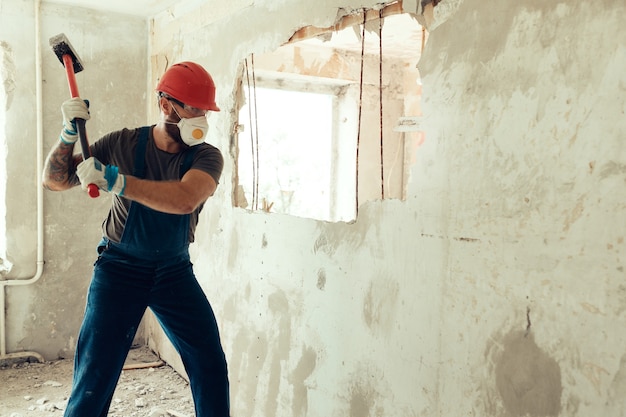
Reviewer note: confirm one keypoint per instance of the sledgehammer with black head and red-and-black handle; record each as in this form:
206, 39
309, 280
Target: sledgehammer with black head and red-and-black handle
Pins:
70, 60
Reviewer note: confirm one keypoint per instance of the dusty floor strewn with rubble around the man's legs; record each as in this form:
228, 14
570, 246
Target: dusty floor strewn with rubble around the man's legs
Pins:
41, 389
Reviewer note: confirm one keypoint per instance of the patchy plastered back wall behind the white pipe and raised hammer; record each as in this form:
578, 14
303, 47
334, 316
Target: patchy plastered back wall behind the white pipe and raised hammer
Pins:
45, 316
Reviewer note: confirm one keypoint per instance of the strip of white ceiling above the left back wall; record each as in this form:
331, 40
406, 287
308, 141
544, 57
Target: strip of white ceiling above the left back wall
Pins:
141, 8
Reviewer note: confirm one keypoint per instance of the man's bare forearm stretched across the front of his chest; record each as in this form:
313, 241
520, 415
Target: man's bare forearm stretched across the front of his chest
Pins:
174, 197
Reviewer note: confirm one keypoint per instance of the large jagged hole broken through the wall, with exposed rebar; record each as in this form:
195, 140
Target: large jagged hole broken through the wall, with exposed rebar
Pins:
329, 120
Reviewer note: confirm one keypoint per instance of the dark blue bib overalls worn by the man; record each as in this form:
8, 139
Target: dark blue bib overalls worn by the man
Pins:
150, 267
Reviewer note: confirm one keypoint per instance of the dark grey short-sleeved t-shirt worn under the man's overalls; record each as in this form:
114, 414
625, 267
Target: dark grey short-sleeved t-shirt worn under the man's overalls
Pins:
118, 148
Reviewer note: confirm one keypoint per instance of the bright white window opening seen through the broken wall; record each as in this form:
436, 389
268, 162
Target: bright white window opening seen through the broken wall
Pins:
291, 158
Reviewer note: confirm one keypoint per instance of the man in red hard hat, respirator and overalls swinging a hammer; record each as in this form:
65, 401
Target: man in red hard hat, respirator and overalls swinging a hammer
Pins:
159, 177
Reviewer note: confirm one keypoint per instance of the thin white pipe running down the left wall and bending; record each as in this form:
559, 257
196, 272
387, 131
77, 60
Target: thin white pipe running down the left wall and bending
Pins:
39, 162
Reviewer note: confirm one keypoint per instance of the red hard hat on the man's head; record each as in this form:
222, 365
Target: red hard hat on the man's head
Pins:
191, 84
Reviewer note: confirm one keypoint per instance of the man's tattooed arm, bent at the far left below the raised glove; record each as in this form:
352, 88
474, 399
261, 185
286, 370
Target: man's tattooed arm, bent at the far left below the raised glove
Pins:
59, 171
